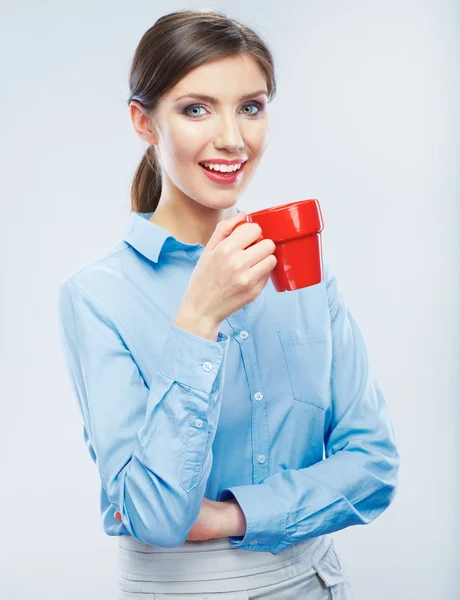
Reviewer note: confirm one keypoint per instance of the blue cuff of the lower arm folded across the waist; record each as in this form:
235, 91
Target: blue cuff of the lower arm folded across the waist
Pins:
265, 518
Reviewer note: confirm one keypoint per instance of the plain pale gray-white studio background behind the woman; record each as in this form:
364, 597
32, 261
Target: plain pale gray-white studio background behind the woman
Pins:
366, 120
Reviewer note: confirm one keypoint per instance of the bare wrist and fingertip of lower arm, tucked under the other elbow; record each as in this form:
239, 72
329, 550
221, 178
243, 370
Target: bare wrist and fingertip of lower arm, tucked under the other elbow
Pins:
215, 519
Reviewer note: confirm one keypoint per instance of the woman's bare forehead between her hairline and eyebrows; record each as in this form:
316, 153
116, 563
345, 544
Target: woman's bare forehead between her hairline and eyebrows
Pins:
226, 78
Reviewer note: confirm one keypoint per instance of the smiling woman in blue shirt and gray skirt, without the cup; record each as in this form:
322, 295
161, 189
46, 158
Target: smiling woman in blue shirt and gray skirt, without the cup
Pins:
207, 397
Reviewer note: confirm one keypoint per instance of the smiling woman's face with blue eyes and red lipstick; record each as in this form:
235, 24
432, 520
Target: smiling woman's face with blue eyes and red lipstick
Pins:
189, 130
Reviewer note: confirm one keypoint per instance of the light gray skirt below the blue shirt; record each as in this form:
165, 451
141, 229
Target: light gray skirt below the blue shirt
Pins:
214, 570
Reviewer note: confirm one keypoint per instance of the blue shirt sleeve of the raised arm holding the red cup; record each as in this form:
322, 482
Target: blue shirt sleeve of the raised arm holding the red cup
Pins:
152, 440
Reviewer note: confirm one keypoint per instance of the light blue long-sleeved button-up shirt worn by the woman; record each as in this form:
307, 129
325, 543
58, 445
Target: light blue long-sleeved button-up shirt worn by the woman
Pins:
282, 411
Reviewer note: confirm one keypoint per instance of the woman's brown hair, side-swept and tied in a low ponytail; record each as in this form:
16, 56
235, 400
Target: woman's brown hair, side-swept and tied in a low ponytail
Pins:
176, 44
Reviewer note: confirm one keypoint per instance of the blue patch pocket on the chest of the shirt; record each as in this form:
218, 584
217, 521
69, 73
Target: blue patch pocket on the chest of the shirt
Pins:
308, 355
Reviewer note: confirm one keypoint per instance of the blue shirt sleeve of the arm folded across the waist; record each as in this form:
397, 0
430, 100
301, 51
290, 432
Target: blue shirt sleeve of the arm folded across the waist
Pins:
358, 478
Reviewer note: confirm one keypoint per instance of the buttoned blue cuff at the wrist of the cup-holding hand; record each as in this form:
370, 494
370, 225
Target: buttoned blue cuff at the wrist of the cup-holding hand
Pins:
192, 360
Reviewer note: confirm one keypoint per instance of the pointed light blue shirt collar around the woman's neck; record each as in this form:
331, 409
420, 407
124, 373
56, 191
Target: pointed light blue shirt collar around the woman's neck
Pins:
150, 239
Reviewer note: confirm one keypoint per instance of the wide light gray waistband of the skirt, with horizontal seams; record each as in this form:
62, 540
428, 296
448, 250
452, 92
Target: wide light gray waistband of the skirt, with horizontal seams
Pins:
186, 568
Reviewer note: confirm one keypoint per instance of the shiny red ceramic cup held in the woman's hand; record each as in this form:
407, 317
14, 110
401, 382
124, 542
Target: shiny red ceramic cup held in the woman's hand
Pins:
296, 230
